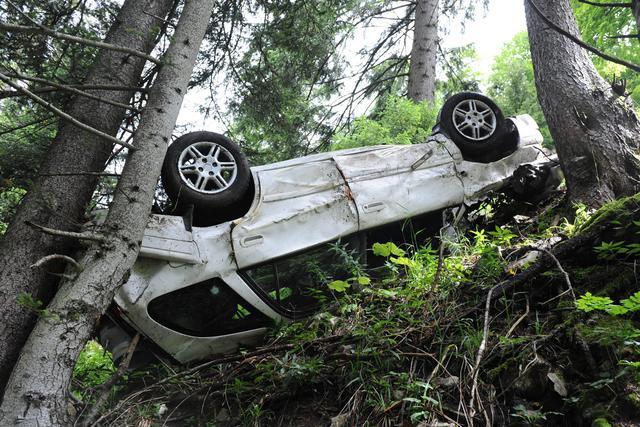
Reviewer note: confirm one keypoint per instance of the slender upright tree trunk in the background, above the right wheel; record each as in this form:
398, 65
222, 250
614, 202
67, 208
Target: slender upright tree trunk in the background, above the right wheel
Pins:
422, 74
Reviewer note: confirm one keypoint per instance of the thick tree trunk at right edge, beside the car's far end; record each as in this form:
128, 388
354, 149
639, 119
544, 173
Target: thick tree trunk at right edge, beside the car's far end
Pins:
596, 134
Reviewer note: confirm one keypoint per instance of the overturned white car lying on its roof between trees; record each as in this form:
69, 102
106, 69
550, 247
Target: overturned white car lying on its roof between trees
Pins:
198, 291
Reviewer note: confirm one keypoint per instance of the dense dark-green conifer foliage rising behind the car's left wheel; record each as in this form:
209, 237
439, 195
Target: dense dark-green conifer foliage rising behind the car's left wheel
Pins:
286, 77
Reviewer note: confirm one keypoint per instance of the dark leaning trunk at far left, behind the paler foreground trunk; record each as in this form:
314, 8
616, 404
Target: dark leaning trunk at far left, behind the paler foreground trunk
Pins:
60, 201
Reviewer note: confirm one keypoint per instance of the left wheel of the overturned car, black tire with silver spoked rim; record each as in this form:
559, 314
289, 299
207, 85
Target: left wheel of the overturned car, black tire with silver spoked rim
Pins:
220, 188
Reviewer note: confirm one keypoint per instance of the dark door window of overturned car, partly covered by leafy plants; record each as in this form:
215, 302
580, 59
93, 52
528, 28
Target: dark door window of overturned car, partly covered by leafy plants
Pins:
299, 283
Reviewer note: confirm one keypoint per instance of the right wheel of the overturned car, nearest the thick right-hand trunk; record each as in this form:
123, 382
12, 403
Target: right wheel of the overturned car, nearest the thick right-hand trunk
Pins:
481, 133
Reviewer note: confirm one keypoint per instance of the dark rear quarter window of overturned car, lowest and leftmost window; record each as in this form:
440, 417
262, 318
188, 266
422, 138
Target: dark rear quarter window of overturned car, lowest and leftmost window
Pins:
207, 309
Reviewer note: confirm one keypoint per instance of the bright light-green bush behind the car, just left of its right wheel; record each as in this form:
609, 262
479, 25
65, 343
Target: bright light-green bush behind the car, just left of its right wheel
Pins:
401, 121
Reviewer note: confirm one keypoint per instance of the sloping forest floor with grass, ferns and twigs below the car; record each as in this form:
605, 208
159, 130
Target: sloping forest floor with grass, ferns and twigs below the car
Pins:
524, 315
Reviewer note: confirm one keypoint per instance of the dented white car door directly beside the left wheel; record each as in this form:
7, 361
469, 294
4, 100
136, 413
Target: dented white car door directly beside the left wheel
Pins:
300, 205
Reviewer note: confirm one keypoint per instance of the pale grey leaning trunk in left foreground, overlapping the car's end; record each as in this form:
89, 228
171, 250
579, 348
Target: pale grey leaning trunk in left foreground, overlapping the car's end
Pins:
36, 393
